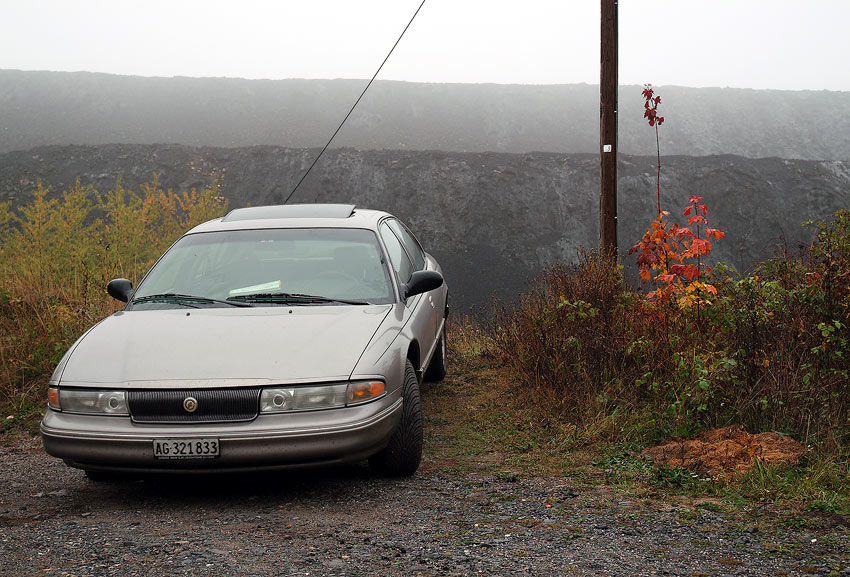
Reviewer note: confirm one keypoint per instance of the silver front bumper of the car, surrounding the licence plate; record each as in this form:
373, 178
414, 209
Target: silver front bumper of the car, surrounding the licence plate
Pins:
104, 443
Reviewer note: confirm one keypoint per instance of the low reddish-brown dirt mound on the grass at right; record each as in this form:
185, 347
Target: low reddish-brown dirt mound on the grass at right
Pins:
728, 449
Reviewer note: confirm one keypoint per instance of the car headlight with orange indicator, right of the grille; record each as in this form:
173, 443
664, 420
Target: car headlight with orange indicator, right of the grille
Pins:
285, 399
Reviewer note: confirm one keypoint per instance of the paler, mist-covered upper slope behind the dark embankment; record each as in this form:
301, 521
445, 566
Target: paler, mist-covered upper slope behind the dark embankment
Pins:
60, 108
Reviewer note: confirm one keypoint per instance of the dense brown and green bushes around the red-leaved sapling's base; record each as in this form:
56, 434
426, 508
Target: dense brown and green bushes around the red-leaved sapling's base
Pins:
771, 350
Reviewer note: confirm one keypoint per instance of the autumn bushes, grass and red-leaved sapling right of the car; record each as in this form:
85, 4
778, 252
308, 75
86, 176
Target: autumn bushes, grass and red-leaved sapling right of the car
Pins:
586, 372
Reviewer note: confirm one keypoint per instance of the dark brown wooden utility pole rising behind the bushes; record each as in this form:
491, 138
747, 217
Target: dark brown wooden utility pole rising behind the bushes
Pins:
608, 129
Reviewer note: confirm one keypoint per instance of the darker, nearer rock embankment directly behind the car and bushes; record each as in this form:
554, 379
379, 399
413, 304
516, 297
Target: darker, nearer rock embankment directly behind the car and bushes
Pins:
492, 219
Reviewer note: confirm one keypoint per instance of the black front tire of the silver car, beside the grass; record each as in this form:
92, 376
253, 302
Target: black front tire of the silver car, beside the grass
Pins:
401, 457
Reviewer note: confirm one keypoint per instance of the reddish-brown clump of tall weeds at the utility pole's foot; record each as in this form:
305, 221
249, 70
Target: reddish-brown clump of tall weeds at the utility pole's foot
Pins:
566, 338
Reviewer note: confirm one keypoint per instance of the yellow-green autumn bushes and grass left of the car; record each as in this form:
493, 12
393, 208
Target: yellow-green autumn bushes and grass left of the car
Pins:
56, 256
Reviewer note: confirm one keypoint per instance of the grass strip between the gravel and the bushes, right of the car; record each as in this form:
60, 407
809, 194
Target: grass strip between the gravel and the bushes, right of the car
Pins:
479, 421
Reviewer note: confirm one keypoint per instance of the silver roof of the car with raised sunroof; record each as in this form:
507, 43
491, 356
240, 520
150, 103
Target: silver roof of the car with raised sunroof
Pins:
294, 216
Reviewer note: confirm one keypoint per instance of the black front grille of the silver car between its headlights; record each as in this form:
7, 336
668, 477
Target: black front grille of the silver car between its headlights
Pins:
213, 405
